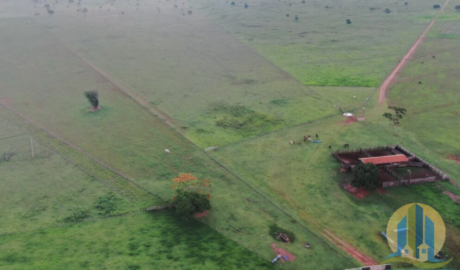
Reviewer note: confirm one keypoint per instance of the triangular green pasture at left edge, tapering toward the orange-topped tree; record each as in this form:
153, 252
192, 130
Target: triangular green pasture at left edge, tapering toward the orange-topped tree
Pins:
45, 190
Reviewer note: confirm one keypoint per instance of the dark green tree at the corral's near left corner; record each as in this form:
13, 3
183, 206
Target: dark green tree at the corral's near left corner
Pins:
366, 176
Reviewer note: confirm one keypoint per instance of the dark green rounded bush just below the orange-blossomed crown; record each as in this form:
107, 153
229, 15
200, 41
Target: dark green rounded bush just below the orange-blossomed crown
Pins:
188, 203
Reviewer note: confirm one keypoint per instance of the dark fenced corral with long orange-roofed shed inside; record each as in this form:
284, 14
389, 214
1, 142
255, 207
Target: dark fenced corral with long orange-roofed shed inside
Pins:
397, 165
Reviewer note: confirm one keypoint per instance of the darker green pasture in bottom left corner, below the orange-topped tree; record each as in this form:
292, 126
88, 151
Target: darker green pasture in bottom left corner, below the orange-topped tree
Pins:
141, 241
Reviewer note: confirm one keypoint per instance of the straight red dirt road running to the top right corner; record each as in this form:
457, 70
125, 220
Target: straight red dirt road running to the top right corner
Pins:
386, 84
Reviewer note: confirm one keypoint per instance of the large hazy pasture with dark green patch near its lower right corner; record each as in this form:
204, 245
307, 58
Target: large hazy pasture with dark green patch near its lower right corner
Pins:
184, 66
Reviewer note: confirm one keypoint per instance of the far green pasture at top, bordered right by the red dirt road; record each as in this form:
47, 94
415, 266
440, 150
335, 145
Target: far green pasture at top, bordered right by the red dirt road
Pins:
320, 48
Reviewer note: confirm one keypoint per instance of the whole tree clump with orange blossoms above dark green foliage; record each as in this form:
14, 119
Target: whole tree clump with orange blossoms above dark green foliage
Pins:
192, 195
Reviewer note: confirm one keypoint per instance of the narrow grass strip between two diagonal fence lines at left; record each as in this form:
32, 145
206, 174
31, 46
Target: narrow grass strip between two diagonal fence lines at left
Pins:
103, 173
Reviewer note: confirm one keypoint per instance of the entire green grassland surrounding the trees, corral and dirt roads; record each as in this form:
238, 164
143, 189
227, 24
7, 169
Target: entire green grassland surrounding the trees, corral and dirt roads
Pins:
218, 75
